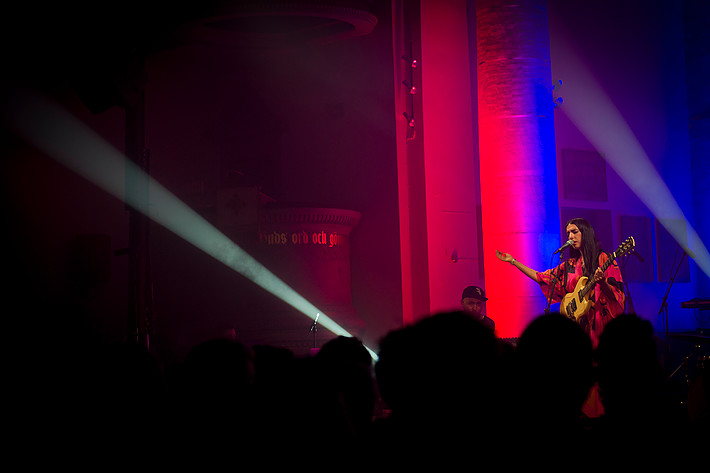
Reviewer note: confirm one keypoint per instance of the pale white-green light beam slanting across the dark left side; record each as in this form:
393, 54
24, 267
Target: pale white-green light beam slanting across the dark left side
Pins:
70, 142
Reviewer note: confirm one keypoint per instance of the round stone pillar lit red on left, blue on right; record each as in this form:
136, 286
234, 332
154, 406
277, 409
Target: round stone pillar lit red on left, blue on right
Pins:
519, 203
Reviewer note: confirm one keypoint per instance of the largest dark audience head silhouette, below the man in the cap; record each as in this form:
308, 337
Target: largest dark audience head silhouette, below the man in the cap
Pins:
441, 378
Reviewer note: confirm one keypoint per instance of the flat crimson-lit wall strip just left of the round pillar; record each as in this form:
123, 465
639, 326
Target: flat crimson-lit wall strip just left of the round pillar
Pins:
449, 152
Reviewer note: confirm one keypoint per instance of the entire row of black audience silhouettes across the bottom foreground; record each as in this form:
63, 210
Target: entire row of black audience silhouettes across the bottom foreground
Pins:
451, 388
